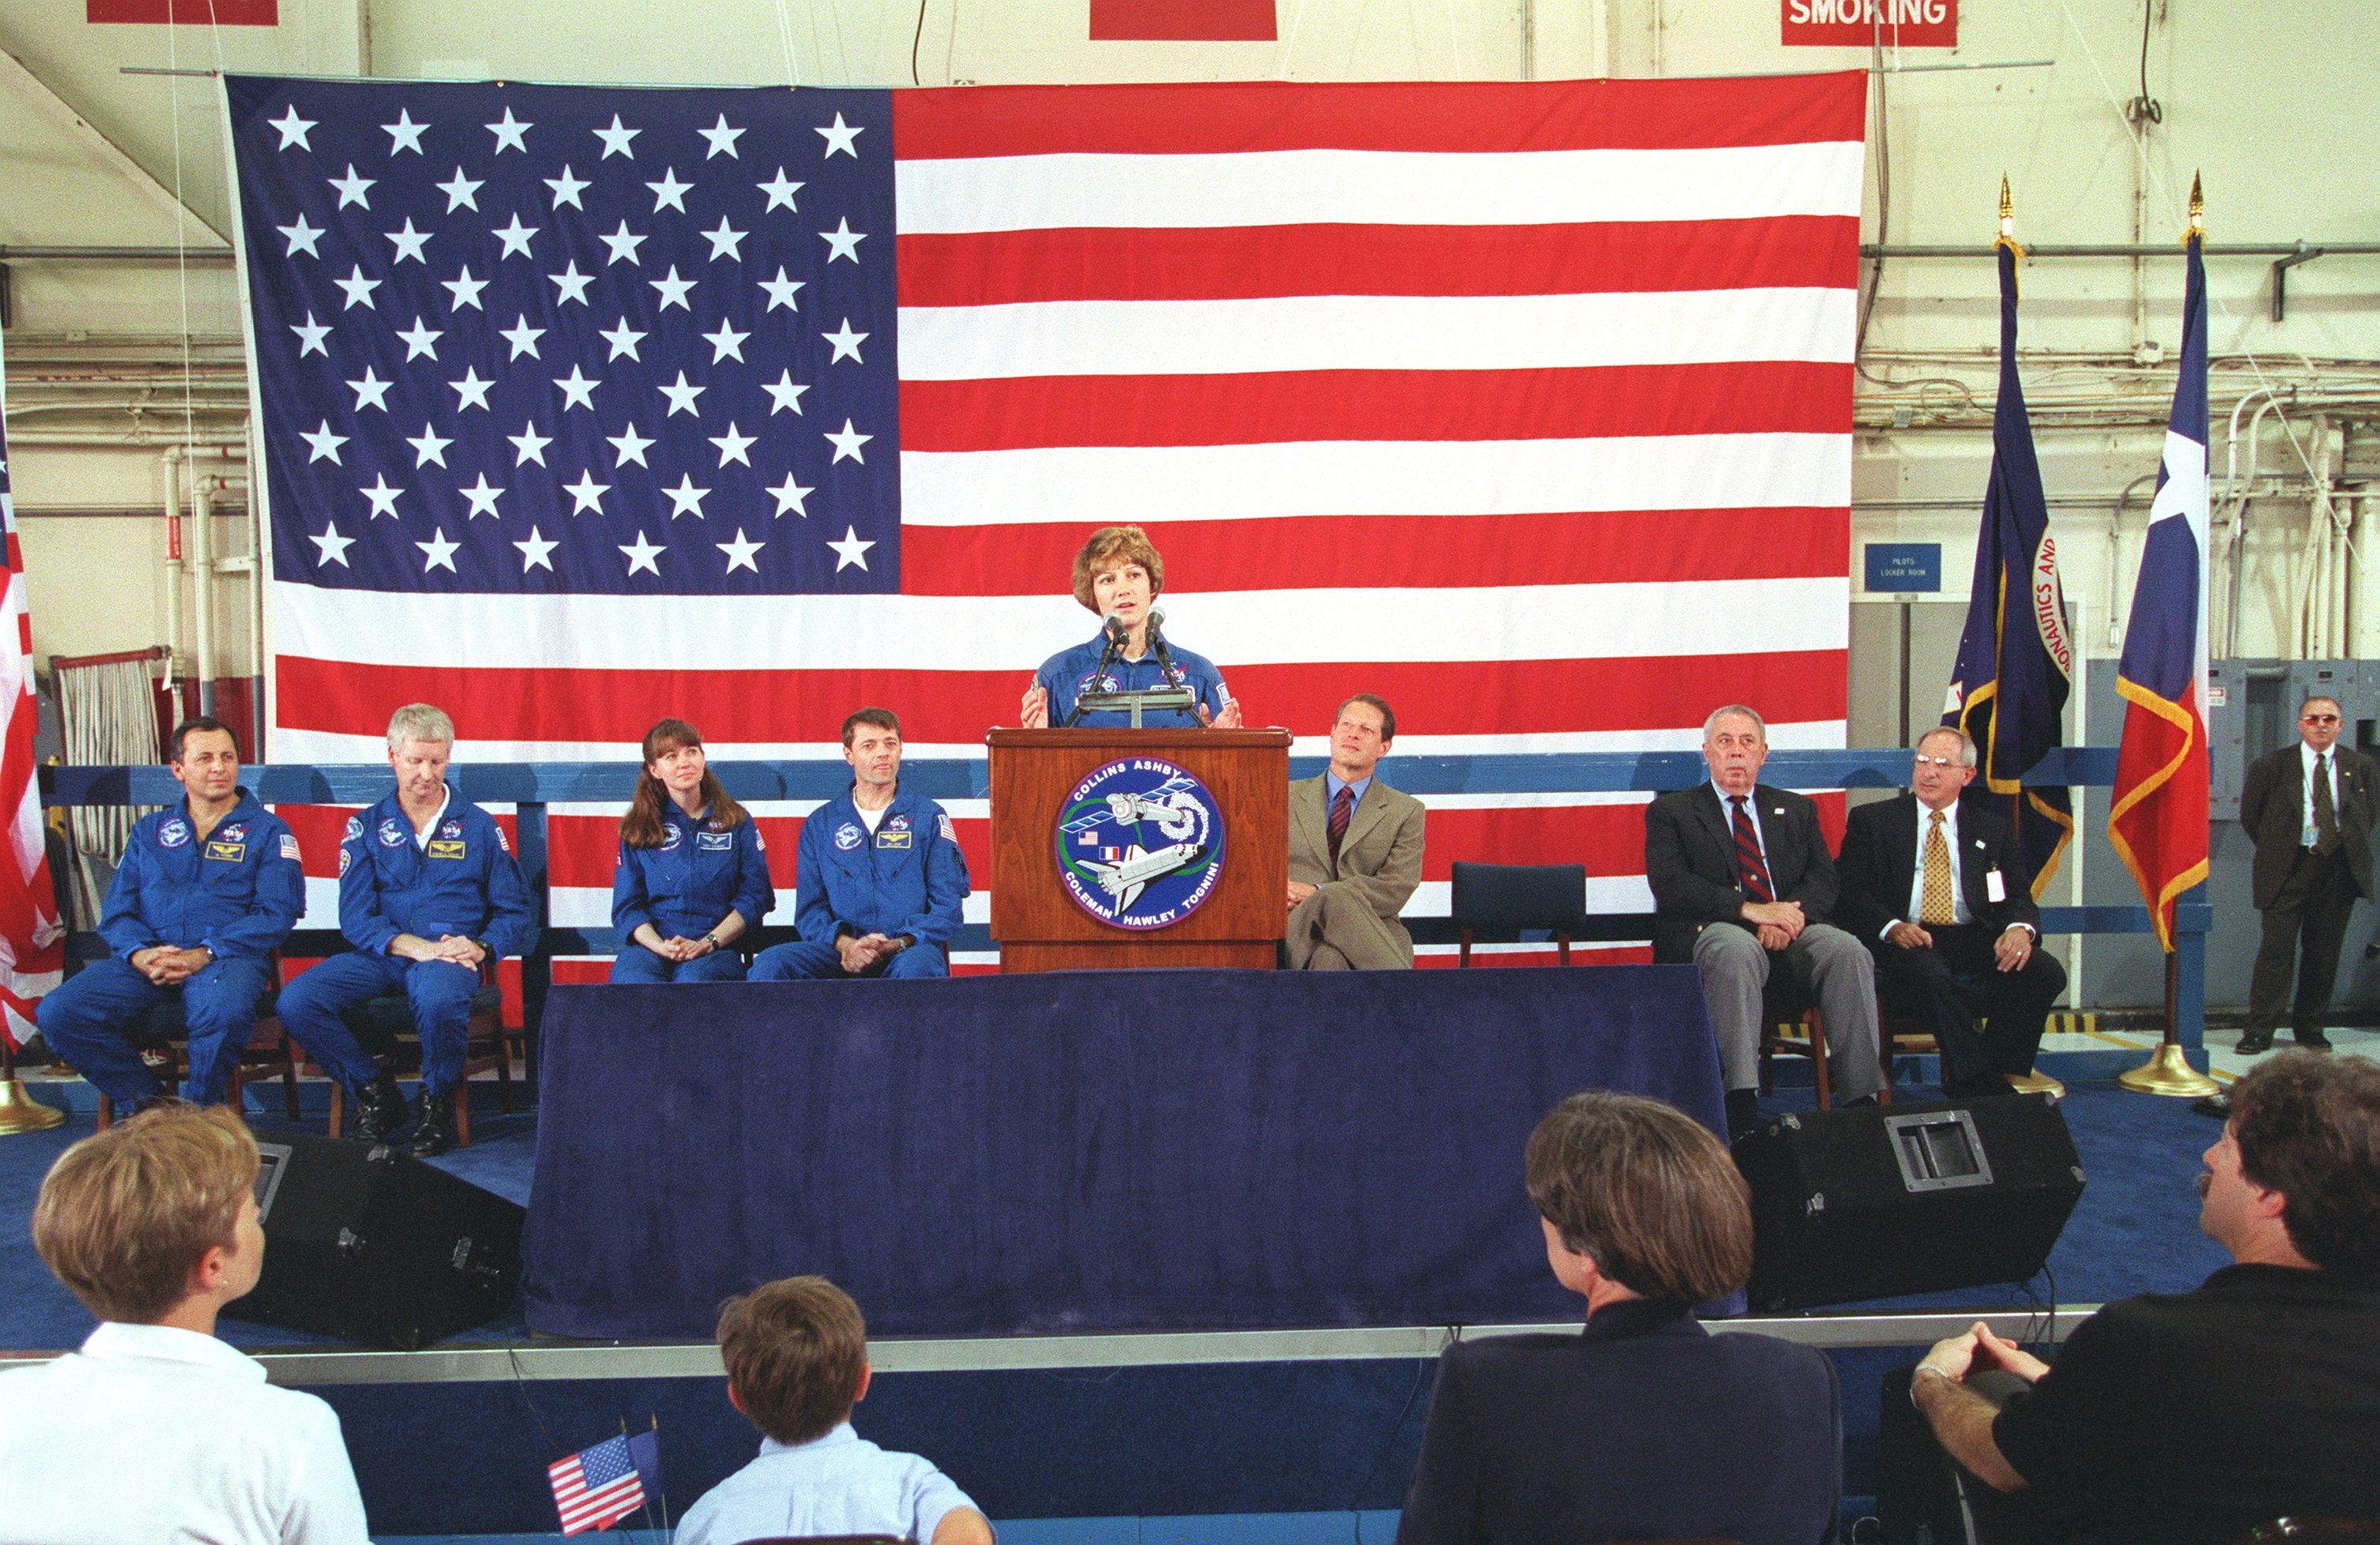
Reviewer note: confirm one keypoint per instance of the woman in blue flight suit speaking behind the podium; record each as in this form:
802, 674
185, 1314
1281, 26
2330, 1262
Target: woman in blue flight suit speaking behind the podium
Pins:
1120, 577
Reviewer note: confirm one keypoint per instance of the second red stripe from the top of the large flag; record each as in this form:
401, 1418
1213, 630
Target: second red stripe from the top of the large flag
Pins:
1229, 263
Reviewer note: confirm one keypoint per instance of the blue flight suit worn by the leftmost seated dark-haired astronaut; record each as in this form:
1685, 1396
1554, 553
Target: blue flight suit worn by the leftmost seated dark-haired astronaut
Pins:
239, 894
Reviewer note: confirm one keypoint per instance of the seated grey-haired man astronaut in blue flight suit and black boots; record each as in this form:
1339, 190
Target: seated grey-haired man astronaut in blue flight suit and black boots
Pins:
427, 894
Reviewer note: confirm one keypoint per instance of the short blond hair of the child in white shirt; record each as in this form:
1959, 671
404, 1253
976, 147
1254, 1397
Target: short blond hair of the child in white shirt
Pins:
125, 1215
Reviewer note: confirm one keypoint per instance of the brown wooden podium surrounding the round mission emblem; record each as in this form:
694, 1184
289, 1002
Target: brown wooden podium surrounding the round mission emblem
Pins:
1041, 927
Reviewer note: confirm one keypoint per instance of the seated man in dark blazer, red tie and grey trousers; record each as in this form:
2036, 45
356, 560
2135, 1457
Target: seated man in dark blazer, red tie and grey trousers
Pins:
1743, 884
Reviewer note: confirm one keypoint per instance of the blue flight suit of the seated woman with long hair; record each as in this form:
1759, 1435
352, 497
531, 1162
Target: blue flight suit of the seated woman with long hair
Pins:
684, 889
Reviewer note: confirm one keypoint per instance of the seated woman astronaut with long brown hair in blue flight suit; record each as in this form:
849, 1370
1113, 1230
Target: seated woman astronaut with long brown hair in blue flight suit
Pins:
691, 875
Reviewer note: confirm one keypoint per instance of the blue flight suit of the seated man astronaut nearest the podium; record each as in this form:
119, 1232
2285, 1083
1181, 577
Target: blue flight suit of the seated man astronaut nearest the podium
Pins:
908, 877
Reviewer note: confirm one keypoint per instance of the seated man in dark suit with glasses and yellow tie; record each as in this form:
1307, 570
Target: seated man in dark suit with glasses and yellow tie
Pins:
1950, 920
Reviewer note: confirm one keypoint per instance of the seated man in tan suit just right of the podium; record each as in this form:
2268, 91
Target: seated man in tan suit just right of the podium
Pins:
1355, 853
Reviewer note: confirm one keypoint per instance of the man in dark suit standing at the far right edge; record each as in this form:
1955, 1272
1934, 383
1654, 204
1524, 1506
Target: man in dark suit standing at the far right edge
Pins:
2310, 813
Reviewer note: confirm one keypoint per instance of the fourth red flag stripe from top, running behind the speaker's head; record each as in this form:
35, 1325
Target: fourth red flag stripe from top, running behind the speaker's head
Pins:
1405, 551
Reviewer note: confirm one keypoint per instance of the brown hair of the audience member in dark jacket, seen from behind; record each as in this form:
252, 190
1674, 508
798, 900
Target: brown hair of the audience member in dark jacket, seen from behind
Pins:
1646, 1191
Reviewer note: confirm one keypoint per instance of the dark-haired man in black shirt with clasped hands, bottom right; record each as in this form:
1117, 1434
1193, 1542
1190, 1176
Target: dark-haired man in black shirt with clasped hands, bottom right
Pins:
2191, 1418
